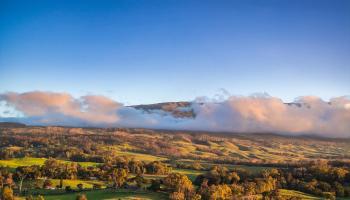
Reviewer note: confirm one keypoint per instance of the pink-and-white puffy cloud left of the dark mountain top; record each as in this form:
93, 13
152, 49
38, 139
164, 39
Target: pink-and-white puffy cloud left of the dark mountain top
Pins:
49, 107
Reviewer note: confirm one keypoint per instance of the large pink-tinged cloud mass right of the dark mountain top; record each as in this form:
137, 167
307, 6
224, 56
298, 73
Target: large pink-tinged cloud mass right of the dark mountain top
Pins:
307, 115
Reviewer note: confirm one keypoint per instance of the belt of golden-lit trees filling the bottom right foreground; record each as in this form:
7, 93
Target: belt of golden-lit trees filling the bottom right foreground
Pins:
319, 179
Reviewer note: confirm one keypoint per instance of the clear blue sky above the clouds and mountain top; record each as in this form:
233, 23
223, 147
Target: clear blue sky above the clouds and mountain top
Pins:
139, 51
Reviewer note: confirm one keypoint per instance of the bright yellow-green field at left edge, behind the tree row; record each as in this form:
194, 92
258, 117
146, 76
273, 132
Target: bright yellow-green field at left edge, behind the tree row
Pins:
27, 161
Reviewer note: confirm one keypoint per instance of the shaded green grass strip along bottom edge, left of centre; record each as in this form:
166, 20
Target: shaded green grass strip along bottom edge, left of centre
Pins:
111, 195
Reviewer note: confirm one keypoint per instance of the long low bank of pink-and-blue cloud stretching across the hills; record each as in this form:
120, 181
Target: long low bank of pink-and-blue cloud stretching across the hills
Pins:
306, 115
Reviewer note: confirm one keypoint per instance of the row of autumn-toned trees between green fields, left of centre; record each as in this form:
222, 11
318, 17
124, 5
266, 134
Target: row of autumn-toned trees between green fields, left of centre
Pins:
115, 171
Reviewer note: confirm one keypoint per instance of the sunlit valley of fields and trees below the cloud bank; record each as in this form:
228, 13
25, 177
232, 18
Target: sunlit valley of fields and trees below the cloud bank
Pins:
60, 163
